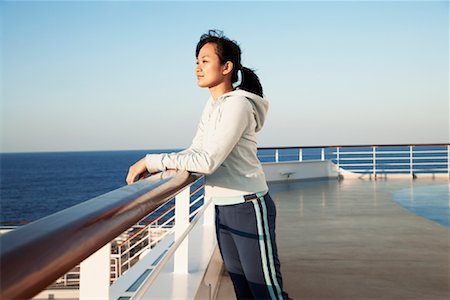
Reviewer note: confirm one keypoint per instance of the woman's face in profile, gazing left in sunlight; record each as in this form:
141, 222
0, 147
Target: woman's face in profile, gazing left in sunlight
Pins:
209, 71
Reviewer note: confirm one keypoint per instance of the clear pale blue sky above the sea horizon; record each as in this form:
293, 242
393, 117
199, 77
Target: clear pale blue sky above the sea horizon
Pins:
120, 75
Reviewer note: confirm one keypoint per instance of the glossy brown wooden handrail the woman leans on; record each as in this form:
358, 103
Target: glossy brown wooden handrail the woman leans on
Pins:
35, 255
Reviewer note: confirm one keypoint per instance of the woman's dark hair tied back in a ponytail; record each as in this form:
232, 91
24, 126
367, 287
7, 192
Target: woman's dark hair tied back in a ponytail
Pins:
228, 50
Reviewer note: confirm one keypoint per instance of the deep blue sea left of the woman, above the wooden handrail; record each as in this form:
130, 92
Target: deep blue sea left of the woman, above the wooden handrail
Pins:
34, 185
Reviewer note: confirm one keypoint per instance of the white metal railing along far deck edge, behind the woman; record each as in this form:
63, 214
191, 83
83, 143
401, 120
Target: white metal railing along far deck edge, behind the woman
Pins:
370, 159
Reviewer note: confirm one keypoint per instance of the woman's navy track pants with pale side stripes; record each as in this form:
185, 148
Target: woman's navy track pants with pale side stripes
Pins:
246, 238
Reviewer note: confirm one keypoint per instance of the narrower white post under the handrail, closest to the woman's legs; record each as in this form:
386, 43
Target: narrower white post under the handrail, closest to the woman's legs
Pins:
181, 224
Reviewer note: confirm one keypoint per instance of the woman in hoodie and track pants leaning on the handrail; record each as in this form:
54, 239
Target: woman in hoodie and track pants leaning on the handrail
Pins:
224, 149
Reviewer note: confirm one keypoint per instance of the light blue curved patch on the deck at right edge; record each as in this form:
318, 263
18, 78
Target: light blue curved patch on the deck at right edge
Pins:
430, 202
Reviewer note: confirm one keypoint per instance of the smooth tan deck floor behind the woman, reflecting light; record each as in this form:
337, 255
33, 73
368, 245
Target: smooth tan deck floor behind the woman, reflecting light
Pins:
349, 240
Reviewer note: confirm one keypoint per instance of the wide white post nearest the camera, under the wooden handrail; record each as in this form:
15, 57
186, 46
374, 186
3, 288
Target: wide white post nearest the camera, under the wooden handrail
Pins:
95, 274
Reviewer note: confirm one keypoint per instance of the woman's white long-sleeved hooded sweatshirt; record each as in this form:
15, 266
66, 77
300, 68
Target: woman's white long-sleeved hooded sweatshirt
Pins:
224, 147
